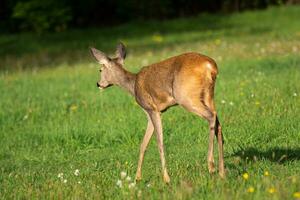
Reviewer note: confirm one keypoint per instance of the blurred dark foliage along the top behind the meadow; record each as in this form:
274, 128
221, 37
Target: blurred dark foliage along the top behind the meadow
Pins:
57, 15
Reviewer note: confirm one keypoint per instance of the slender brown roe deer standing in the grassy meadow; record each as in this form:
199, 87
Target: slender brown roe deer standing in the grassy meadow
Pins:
187, 80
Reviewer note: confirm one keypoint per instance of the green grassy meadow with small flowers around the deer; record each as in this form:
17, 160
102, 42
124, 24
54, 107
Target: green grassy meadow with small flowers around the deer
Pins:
54, 120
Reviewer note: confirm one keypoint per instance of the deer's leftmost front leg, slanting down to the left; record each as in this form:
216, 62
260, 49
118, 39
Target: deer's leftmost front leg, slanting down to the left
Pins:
143, 148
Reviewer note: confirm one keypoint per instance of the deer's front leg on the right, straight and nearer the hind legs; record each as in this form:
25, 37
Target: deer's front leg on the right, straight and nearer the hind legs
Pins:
156, 120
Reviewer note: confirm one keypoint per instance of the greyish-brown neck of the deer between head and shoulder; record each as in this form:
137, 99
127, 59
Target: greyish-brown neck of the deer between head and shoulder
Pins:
126, 80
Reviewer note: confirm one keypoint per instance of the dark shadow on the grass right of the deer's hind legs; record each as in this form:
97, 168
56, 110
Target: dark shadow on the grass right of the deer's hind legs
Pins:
277, 155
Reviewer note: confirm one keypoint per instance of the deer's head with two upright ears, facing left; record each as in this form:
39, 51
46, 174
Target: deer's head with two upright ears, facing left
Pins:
110, 67
